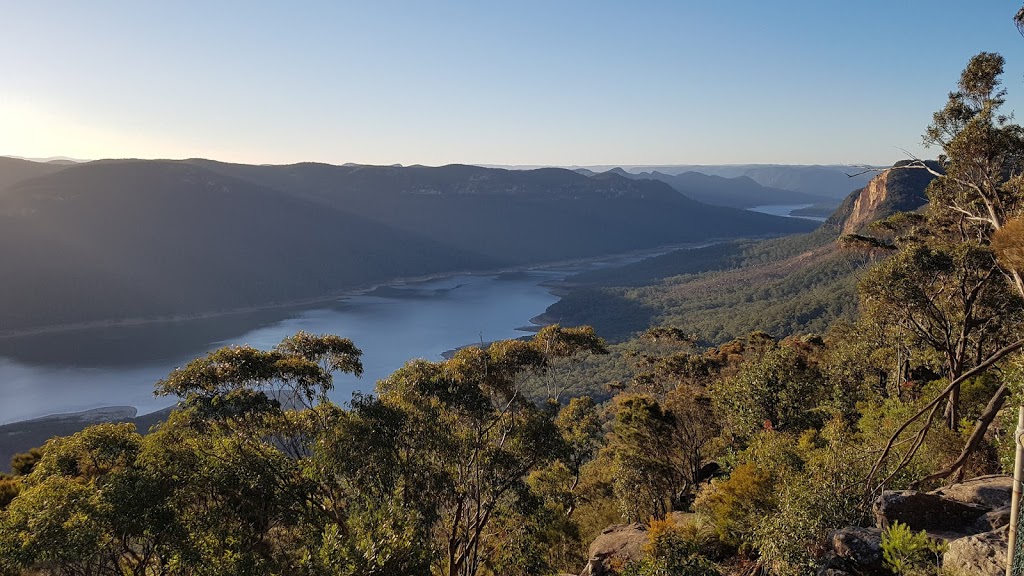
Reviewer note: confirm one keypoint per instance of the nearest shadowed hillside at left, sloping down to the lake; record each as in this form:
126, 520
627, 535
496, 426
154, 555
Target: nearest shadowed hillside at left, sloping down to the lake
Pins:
119, 240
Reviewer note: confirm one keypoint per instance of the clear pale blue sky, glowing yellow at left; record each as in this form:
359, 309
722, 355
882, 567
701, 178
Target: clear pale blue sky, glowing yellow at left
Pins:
525, 83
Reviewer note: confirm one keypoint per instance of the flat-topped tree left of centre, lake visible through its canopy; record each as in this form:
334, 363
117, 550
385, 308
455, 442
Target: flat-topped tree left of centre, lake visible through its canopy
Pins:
239, 457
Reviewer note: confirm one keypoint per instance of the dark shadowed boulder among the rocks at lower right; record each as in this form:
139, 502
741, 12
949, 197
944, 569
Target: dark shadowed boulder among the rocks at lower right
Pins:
921, 511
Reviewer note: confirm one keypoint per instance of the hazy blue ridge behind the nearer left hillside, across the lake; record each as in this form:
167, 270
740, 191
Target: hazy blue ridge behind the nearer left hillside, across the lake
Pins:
519, 217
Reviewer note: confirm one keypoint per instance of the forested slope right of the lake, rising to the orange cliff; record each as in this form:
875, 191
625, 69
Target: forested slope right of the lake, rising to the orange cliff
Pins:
795, 284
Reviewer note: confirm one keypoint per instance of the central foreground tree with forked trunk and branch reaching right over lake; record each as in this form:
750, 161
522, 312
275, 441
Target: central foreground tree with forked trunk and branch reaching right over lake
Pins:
471, 438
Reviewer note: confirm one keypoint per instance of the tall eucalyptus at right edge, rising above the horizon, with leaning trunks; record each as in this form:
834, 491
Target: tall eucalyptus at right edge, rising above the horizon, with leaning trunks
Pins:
978, 191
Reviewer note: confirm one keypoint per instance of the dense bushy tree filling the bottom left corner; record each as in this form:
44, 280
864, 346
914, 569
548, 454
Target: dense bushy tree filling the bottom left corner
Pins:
92, 508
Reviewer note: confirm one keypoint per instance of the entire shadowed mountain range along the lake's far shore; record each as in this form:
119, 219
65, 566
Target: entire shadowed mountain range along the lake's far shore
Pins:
122, 240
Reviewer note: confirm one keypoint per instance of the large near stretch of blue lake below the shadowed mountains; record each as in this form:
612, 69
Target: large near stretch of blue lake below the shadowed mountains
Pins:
84, 369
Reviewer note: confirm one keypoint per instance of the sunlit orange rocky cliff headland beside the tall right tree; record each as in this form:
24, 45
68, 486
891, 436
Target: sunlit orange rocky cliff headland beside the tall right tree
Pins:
901, 189
